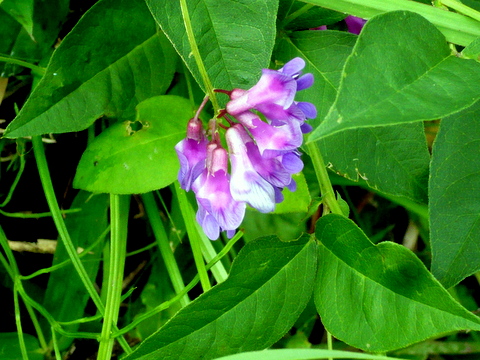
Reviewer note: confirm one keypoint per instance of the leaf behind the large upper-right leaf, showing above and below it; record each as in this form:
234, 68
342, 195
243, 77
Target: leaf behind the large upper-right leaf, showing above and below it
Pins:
394, 159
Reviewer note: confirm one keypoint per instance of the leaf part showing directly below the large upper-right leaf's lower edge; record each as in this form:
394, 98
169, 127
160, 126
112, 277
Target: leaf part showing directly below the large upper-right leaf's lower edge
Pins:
390, 159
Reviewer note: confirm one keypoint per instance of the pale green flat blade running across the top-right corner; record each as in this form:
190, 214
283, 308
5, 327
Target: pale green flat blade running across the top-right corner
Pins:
457, 28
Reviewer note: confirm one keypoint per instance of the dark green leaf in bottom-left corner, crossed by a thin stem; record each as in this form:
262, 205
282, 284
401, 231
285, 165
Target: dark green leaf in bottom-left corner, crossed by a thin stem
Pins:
10, 348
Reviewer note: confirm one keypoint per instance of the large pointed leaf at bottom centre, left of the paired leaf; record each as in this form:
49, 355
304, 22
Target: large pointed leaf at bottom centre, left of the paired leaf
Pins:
269, 285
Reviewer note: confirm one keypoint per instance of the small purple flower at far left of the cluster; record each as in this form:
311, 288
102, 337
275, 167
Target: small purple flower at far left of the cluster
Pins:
192, 153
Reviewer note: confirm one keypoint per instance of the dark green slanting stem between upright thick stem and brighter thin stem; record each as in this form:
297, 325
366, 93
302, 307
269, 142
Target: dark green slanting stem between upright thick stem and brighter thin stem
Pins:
163, 243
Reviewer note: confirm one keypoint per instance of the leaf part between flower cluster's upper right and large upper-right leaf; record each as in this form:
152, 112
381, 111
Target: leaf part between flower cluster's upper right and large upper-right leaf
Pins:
325, 53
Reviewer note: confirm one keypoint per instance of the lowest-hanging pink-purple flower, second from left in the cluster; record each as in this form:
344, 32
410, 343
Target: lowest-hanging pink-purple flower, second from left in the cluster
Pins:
217, 209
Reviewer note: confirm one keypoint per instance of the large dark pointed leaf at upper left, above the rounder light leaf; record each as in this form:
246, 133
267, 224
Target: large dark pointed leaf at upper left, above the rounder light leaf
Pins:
130, 62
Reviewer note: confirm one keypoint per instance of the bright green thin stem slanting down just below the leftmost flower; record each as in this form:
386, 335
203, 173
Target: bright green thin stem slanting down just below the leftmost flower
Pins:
193, 235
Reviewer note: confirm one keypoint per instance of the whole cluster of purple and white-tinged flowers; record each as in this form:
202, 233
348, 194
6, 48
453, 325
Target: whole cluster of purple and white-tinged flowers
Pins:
263, 154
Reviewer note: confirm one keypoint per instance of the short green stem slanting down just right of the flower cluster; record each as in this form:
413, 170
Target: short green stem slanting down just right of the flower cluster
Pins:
321, 171
